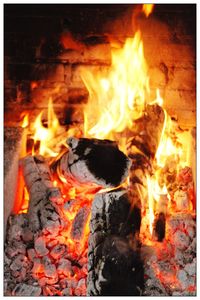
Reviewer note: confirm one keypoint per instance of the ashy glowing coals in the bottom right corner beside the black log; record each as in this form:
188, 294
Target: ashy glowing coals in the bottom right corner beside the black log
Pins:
170, 267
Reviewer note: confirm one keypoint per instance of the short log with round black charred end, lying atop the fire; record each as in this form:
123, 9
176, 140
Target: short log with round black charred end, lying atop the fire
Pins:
94, 161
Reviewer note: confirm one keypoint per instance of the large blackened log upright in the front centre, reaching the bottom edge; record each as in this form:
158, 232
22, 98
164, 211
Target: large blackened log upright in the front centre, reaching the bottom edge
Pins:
114, 266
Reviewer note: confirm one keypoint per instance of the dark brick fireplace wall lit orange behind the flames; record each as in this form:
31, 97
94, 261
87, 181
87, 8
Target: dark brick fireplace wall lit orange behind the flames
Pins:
37, 65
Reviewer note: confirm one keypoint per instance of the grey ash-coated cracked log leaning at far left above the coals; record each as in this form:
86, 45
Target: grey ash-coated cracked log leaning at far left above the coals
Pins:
42, 212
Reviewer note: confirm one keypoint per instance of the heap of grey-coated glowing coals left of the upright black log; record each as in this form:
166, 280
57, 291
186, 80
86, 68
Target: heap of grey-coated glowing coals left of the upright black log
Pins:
41, 264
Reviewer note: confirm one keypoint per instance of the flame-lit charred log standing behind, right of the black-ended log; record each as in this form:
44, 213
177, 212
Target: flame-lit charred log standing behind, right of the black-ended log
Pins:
141, 149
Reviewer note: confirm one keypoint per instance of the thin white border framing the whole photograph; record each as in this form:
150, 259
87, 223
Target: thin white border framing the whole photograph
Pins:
1, 115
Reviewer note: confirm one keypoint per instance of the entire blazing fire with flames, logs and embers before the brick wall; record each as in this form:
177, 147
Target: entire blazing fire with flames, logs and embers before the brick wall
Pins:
106, 207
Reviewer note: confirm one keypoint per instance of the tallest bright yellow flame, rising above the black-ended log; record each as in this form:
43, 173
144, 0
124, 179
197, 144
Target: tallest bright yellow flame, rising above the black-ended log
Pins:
116, 96
